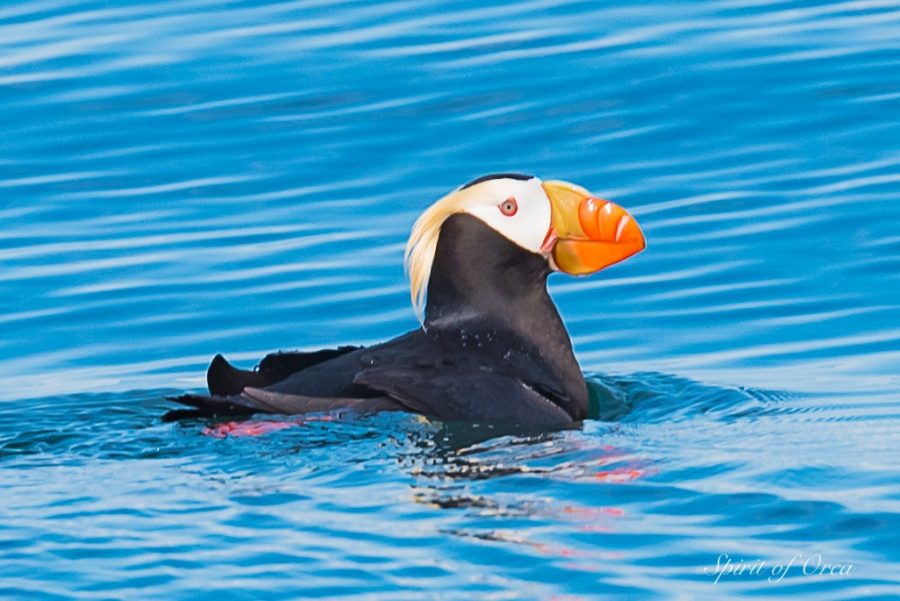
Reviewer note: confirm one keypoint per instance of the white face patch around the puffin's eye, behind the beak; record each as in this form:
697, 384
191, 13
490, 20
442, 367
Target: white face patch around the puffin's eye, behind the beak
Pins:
518, 210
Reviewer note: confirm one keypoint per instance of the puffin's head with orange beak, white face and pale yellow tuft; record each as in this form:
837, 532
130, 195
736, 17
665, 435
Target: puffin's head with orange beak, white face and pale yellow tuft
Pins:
575, 232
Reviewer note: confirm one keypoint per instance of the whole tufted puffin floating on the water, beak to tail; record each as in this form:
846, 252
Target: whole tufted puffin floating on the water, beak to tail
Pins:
491, 348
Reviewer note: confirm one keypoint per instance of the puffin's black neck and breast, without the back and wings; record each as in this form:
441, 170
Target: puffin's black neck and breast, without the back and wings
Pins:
480, 281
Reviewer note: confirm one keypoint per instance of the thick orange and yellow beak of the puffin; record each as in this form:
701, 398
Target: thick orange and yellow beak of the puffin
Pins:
587, 233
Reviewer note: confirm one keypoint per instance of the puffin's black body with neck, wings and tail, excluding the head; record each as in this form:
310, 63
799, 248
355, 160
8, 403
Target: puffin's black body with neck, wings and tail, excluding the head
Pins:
493, 350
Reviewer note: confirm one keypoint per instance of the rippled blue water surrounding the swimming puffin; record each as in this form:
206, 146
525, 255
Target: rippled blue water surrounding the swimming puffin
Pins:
184, 178
